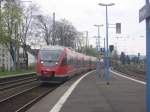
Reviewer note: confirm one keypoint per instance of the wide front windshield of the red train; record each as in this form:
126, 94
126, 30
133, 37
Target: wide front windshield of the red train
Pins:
50, 55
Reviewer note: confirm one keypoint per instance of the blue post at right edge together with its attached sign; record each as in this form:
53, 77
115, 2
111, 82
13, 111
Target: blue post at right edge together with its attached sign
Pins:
144, 13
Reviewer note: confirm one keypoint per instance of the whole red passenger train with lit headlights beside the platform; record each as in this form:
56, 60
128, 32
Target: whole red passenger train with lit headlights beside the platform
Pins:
56, 63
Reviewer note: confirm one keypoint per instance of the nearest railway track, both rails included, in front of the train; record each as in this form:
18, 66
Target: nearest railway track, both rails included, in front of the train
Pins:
23, 100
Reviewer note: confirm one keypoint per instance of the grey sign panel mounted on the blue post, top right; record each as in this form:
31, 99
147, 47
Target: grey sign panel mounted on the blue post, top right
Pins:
144, 12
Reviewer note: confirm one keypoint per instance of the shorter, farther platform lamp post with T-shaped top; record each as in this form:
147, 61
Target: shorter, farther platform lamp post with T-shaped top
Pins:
98, 50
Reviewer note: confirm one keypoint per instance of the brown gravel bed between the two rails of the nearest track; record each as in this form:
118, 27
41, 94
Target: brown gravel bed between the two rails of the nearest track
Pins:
20, 100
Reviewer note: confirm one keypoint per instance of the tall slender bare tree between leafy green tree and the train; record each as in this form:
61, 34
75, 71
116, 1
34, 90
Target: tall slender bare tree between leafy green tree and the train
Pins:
26, 28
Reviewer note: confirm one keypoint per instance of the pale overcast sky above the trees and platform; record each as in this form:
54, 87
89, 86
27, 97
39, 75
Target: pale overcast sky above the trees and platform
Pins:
85, 13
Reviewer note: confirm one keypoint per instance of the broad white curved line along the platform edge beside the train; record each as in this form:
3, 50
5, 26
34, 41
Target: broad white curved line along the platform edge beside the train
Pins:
57, 107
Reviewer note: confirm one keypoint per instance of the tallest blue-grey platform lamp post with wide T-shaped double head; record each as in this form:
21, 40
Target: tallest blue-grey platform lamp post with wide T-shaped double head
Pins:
107, 50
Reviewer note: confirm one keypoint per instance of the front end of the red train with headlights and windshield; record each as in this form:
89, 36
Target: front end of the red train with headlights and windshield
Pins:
48, 65
